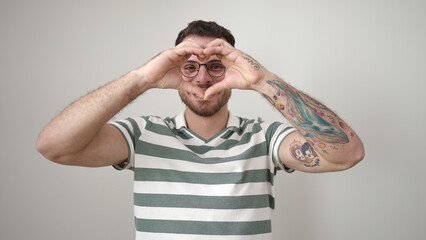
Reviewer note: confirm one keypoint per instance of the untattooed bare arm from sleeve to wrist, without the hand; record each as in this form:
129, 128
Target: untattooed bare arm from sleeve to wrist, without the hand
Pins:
79, 136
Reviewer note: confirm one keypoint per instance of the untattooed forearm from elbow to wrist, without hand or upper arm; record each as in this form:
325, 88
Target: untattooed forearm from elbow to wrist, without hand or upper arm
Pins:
78, 124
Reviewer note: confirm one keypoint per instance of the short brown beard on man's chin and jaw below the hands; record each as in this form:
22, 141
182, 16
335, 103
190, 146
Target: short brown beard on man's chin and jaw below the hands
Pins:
205, 108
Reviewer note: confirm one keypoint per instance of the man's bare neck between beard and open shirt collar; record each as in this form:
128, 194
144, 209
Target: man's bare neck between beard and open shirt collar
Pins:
207, 127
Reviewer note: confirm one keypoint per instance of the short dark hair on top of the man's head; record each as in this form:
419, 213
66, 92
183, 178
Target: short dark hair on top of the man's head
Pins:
205, 29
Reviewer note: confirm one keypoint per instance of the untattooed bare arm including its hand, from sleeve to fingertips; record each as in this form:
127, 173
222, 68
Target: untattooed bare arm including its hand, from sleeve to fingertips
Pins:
80, 136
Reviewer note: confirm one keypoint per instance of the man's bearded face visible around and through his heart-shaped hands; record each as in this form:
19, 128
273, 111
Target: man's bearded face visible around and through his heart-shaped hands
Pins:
197, 104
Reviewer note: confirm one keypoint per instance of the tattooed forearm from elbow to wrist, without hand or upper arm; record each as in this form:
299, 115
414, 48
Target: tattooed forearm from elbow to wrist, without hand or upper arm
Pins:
326, 132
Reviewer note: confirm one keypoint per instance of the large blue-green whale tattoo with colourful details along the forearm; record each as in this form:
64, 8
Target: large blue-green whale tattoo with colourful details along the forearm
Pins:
309, 118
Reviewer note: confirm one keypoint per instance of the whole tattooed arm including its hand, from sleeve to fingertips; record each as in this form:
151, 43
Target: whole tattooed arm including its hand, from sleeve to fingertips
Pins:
323, 142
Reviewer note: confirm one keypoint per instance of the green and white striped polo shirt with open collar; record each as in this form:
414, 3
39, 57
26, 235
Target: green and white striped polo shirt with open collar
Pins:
186, 187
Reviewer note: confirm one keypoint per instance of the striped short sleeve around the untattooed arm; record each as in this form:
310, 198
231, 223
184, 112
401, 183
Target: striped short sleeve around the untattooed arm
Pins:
127, 129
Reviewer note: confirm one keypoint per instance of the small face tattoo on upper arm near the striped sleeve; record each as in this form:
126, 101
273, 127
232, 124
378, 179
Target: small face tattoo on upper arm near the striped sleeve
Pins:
304, 153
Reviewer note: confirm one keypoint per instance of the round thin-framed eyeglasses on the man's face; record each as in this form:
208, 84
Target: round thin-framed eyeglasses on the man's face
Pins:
214, 68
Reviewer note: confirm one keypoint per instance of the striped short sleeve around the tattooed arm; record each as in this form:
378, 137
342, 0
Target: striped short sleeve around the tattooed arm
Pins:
275, 135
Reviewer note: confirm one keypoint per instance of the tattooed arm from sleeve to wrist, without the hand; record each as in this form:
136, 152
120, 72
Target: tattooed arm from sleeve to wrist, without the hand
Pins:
323, 142
